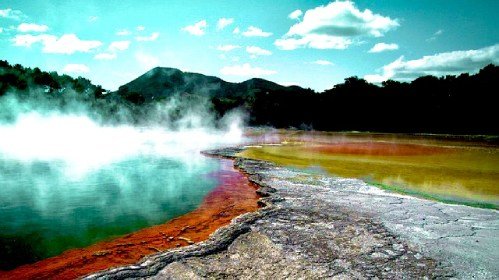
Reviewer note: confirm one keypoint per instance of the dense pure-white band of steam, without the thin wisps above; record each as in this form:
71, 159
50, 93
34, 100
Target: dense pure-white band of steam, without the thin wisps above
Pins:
83, 145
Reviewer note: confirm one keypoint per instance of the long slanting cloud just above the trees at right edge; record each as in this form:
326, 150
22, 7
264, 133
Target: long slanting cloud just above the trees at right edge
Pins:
448, 63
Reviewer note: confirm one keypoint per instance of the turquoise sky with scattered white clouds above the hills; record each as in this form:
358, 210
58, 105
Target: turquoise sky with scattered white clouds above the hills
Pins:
314, 44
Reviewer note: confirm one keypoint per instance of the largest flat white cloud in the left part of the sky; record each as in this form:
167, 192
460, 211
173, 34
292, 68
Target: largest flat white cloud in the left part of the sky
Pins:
66, 44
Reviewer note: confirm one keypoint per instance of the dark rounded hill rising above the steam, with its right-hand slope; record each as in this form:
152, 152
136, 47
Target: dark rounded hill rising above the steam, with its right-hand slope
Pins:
256, 96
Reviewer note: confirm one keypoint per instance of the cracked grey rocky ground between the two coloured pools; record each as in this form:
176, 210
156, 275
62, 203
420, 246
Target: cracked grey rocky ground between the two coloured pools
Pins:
313, 226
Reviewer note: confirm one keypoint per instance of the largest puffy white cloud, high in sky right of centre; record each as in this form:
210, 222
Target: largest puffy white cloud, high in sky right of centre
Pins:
335, 26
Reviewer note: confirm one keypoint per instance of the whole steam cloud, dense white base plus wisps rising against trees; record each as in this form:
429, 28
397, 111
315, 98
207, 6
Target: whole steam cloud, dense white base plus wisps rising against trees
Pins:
73, 133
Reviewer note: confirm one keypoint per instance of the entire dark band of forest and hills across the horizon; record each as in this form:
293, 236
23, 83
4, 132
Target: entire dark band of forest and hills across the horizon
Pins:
463, 104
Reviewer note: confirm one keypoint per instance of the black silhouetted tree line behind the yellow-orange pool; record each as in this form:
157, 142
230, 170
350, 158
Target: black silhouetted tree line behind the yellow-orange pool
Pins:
464, 104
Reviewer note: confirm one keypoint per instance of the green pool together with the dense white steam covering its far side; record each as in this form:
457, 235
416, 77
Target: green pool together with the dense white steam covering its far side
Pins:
67, 182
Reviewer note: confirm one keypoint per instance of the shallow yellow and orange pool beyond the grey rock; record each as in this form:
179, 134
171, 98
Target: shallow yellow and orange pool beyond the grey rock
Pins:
462, 170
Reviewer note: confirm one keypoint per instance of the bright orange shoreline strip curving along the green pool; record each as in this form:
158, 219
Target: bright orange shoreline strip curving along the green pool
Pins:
234, 196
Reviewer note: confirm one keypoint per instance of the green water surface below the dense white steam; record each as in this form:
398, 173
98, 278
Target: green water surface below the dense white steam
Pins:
44, 212
